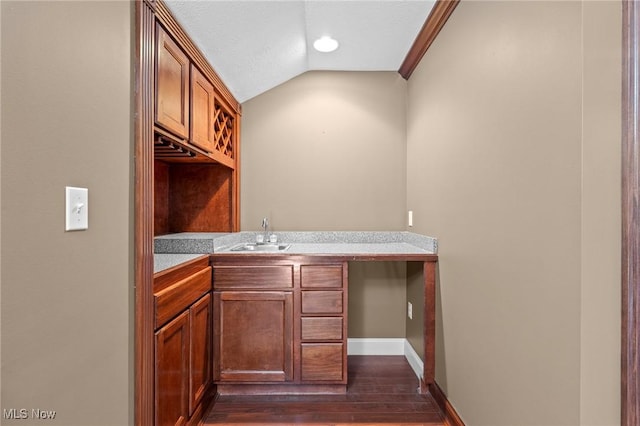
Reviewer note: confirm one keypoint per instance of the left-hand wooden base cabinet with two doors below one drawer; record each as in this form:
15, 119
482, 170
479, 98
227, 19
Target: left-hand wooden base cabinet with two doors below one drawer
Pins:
183, 356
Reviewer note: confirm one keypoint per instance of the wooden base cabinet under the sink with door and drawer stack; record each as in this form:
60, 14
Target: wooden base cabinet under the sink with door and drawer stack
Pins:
279, 321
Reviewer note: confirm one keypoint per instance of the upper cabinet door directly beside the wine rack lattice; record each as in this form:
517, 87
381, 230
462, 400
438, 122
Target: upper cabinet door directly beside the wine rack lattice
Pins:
202, 93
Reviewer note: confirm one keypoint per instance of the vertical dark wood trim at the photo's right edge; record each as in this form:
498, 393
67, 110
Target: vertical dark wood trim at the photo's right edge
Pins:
630, 386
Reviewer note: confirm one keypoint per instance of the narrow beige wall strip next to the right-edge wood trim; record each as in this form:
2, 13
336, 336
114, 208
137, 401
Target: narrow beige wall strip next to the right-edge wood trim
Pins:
600, 269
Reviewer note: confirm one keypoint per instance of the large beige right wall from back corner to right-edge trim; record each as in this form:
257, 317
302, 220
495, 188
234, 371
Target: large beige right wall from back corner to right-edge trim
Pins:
513, 163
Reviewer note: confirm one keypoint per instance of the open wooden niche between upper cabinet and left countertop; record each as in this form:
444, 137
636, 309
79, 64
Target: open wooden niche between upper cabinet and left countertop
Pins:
193, 197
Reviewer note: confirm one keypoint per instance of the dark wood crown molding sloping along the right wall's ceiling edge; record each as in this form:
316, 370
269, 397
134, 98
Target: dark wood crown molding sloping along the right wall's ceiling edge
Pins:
432, 26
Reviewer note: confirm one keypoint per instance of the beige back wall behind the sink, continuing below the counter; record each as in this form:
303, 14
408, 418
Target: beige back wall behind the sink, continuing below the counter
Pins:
326, 151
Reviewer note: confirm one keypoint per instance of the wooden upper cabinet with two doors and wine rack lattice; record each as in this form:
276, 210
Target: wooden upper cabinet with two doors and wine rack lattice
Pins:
193, 104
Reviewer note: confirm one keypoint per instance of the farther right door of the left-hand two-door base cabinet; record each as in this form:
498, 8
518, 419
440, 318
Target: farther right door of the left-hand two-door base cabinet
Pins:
200, 322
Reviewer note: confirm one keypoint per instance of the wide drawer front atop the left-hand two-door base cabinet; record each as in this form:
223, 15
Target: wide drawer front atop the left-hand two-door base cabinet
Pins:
175, 298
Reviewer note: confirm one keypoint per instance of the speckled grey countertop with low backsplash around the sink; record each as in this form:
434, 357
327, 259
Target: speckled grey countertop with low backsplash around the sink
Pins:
176, 247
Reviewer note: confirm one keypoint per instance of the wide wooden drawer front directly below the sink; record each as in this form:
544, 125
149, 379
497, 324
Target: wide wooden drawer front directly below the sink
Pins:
225, 277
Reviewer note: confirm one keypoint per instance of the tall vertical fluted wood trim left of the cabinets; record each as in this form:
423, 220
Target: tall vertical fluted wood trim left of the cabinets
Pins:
143, 215
